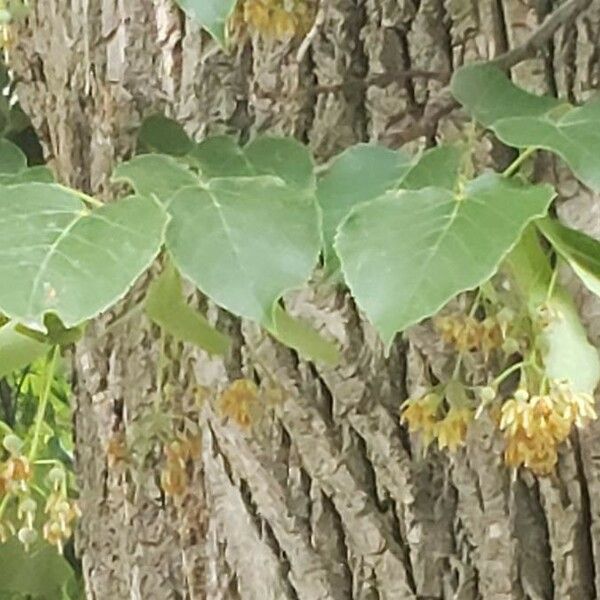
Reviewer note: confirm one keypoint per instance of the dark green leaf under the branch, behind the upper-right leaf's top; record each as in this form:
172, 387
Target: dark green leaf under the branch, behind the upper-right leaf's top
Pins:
489, 95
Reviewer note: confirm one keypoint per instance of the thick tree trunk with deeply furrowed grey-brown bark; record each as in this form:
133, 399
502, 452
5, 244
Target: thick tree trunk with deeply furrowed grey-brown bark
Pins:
326, 497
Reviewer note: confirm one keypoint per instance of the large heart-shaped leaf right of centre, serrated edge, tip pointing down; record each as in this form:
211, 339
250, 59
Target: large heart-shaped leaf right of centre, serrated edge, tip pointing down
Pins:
406, 254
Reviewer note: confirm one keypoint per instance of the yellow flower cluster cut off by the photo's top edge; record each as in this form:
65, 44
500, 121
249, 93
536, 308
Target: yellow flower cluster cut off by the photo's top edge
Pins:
278, 19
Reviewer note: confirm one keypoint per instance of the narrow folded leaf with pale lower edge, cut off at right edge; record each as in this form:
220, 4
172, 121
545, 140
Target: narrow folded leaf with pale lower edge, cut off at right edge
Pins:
581, 251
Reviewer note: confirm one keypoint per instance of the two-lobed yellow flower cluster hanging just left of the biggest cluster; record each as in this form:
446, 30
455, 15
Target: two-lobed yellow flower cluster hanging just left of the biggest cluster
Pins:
426, 416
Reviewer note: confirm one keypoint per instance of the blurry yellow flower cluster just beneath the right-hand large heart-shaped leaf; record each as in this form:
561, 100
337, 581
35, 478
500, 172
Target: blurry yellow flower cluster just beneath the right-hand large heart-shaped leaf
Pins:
466, 333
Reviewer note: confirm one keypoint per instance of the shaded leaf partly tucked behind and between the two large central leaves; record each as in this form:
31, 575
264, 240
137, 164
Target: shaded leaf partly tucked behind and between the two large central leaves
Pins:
360, 173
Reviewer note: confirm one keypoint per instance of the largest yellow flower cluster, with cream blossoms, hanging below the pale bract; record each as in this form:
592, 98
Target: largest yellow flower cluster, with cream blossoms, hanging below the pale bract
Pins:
535, 426
